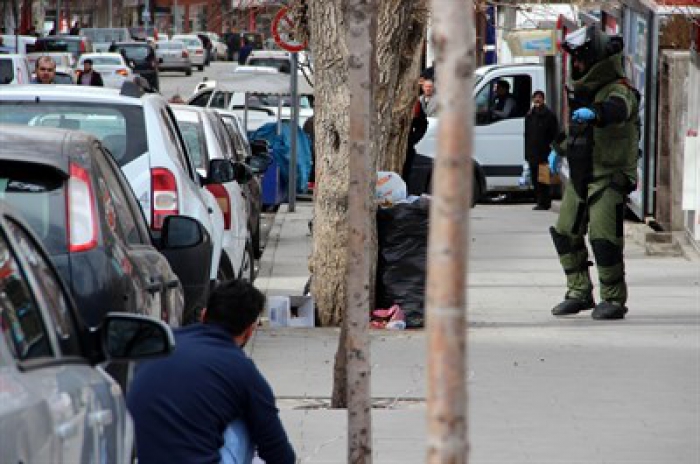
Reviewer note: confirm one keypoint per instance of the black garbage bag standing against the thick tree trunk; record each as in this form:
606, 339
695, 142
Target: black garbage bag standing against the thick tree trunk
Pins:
403, 253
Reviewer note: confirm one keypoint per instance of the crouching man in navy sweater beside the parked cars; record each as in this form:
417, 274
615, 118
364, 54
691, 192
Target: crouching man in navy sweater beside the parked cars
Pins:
207, 402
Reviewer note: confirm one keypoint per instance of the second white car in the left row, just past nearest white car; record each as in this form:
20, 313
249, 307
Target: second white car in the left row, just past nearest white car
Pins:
207, 139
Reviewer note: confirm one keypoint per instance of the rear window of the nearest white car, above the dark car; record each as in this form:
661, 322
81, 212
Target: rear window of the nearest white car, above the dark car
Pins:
121, 128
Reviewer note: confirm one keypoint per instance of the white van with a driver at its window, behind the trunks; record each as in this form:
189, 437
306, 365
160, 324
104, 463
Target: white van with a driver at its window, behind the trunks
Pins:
499, 145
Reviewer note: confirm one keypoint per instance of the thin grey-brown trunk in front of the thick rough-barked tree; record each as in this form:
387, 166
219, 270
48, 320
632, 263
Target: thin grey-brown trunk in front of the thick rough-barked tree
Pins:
361, 18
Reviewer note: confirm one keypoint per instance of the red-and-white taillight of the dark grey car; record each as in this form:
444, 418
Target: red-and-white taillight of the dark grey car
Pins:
82, 216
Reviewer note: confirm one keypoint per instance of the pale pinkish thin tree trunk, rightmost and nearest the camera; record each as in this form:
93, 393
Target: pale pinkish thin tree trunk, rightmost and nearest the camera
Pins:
447, 246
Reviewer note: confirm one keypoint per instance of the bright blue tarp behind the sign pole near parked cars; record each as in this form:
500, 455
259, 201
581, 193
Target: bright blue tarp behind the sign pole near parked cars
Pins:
281, 146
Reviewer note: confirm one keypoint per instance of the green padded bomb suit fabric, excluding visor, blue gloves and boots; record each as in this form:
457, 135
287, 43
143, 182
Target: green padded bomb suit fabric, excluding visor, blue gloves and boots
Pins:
615, 137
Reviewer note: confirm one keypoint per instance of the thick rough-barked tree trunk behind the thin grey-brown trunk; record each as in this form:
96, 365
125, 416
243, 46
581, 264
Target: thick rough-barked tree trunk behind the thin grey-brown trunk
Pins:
401, 32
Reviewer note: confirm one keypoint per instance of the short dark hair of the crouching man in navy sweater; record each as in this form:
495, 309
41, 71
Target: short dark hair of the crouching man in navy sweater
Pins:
234, 305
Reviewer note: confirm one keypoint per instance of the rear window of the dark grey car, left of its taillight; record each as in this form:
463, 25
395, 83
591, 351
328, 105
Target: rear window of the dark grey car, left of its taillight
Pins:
37, 193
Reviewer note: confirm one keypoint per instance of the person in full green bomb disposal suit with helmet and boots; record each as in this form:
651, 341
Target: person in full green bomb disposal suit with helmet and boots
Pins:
601, 148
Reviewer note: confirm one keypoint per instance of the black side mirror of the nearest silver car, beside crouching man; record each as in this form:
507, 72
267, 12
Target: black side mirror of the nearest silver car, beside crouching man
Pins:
127, 337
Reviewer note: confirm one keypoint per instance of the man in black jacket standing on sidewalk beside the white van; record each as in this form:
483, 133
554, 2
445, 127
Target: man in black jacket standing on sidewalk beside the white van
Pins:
541, 127
